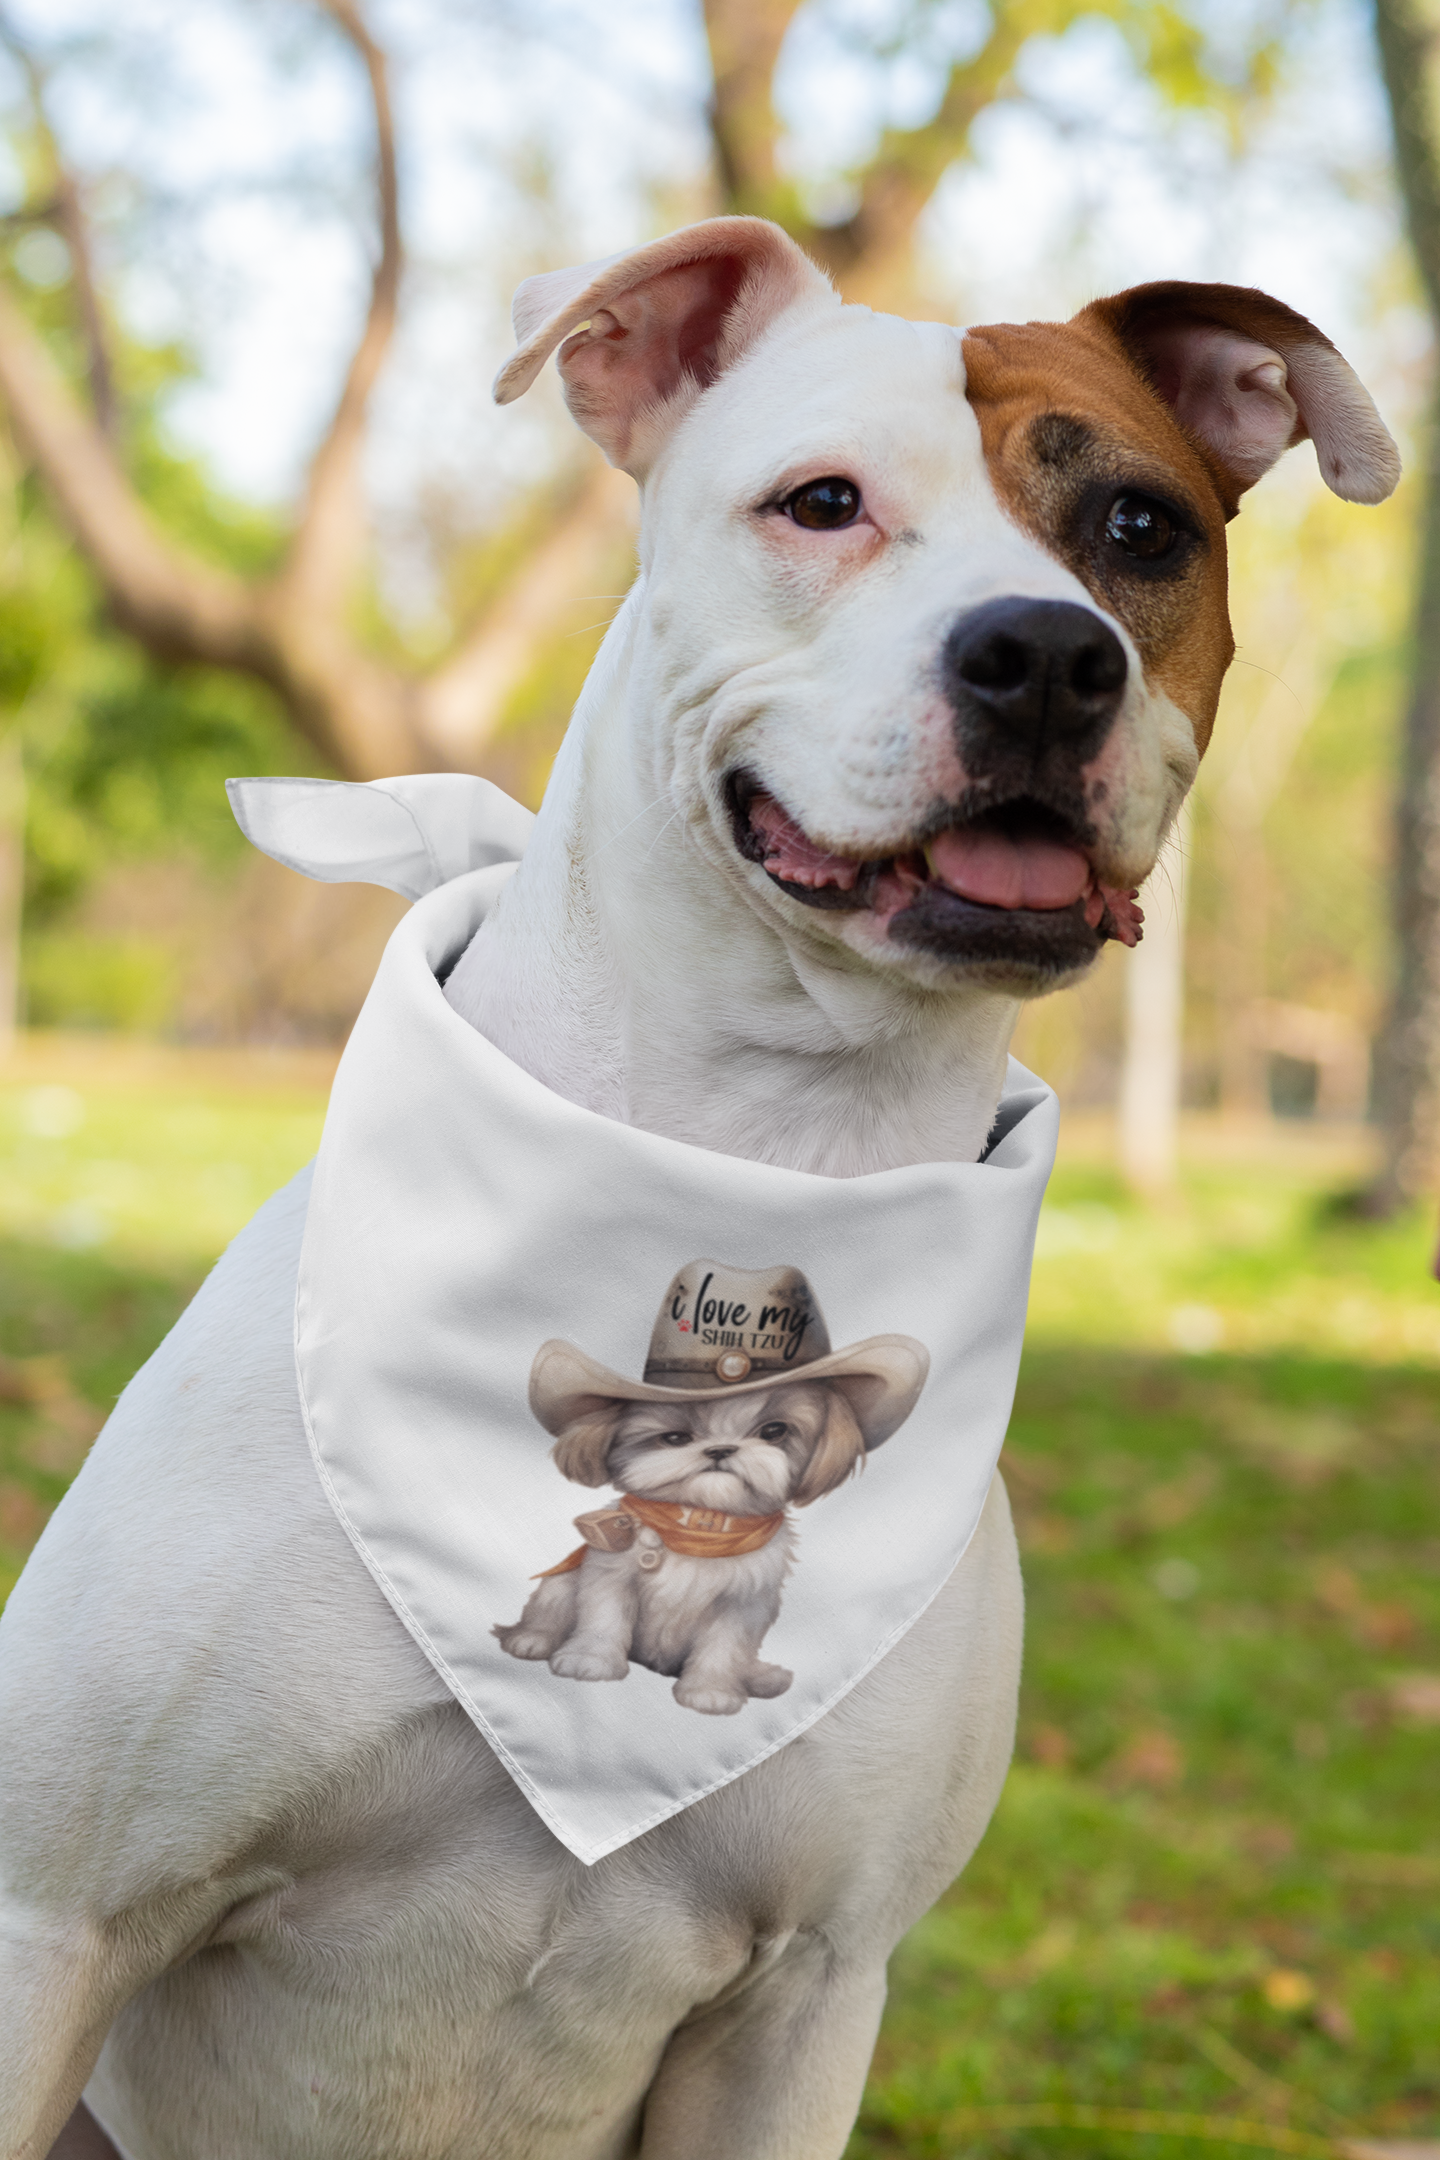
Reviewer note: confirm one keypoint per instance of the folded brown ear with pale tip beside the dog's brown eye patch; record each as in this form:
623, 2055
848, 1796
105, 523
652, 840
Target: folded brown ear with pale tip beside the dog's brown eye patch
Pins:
1249, 379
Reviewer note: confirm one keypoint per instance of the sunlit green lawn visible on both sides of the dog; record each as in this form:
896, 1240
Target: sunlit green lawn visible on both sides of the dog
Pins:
1214, 1880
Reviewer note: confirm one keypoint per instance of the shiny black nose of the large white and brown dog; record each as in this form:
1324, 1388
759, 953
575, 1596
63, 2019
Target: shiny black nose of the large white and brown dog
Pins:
1035, 671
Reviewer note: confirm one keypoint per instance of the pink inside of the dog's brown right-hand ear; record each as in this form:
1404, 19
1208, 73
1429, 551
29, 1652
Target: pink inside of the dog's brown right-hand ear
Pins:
1227, 390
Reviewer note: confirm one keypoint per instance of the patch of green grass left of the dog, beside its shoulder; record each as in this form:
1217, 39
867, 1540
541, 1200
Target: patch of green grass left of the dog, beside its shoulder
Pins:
122, 1178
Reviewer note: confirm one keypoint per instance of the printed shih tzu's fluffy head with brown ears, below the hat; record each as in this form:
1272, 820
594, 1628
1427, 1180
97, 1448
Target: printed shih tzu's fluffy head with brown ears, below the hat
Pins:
742, 1455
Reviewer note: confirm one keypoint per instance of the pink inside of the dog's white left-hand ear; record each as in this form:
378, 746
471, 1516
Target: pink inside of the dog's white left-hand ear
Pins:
640, 349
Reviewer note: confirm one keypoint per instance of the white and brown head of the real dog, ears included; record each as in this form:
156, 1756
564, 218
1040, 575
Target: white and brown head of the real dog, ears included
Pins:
932, 625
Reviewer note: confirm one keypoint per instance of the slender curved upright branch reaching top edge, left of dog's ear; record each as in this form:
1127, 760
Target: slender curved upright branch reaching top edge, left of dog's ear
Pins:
329, 537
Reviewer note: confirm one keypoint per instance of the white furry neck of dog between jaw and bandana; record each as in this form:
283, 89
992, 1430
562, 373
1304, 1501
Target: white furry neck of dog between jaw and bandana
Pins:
631, 975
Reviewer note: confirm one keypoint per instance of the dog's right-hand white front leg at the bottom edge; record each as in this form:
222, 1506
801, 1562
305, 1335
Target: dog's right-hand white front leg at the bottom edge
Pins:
776, 2073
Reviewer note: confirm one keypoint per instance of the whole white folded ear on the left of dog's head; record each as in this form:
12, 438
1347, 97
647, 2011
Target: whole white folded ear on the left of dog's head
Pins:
660, 321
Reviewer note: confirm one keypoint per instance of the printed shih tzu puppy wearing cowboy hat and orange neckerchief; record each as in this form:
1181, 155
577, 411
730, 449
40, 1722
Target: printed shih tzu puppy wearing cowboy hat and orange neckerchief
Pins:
744, 1414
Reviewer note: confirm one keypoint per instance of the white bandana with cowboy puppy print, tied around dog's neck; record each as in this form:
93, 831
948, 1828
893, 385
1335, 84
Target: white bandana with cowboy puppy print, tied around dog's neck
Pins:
770, 1403
